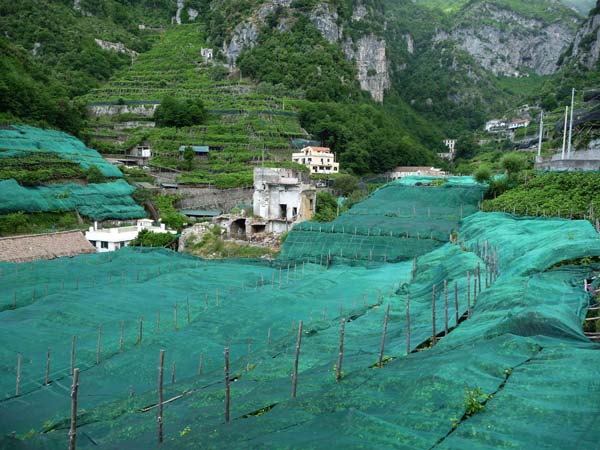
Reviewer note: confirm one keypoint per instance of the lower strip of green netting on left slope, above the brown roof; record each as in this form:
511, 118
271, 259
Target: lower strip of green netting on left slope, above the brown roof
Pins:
97, 201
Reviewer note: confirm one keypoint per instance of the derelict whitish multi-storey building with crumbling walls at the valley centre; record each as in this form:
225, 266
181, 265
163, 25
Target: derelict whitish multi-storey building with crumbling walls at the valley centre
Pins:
282, 197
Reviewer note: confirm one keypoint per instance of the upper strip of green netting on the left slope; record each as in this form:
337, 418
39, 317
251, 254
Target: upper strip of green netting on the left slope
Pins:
18, 140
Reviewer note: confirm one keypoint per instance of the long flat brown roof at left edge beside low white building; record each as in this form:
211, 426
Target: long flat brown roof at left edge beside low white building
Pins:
34, 247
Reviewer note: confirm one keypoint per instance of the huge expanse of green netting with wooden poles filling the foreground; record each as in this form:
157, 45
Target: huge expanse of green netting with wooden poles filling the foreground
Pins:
523, 343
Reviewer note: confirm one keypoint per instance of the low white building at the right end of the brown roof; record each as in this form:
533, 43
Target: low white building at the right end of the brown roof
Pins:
111, 239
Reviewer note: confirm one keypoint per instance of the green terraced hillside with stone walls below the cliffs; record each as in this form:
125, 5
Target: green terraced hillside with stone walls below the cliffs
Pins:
246, 122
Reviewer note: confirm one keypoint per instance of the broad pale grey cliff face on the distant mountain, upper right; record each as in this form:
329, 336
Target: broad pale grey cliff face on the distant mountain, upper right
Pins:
506, 43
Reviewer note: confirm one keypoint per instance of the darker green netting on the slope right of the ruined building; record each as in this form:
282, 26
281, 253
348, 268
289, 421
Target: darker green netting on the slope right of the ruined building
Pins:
397, 222
